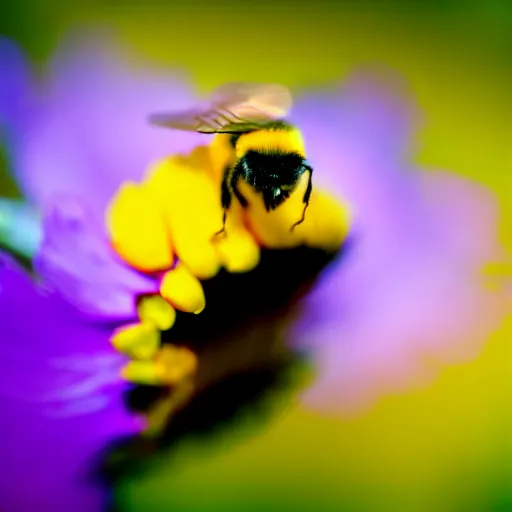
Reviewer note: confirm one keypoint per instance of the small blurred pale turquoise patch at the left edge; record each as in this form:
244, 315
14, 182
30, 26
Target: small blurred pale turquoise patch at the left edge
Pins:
20, 228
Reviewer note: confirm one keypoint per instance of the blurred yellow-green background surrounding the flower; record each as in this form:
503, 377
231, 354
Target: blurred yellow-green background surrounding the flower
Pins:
447, 447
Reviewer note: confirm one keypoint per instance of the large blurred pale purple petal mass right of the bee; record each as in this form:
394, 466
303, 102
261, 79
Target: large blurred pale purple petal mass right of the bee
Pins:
411, 289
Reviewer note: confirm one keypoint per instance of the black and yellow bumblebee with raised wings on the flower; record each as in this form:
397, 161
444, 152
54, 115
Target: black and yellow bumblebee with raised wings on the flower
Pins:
267, 151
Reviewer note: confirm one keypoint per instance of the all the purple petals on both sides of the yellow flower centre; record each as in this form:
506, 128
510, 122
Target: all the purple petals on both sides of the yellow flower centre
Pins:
410, 289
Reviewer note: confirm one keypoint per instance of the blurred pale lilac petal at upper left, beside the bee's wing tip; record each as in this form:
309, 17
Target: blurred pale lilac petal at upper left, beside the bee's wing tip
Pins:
90, 132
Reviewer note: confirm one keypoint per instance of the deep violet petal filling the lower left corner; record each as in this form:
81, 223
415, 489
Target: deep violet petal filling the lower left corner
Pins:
62, 399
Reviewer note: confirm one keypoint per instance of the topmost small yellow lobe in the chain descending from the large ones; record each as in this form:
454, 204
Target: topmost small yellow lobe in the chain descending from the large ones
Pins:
183, 290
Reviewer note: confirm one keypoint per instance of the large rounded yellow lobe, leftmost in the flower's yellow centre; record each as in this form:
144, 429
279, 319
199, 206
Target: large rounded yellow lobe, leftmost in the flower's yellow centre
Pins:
137, 229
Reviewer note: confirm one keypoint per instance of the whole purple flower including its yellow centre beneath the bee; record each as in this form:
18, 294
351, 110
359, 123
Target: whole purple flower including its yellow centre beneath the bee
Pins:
409, 289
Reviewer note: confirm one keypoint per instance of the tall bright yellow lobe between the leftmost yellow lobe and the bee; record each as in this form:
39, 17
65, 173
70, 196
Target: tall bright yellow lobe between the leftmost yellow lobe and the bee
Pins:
192, 209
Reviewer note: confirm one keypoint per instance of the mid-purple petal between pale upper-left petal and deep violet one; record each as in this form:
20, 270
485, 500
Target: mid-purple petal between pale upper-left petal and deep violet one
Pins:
76, 262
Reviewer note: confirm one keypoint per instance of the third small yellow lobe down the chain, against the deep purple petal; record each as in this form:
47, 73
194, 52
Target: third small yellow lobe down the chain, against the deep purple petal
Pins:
139, 341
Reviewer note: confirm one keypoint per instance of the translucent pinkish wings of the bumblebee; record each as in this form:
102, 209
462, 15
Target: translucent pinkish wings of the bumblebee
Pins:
235, 107
